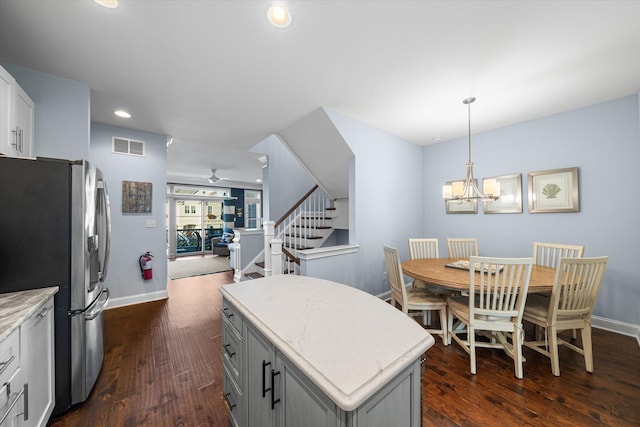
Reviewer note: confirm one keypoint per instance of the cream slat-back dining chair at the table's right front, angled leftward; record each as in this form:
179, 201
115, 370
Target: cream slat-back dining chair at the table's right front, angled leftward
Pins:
569, 307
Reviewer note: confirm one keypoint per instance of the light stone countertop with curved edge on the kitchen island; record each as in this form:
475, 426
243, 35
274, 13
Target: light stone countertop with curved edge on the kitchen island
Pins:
348, 342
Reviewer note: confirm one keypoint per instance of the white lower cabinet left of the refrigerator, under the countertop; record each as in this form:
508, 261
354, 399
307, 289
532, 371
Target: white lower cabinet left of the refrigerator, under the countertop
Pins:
26, 371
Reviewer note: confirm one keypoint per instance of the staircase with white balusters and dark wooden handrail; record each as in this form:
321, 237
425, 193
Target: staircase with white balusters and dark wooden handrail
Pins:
306, 225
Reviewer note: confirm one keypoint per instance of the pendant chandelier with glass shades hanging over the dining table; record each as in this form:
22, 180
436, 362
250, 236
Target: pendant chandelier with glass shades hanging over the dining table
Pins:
467, 190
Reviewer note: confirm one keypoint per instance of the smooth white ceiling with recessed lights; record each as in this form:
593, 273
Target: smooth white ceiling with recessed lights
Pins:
216, 75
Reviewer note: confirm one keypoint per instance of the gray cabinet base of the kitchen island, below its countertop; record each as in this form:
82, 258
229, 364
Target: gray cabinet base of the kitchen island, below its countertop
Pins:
273, 392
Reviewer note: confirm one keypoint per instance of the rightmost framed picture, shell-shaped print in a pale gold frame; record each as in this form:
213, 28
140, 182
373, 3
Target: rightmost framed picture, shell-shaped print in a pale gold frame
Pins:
554, 190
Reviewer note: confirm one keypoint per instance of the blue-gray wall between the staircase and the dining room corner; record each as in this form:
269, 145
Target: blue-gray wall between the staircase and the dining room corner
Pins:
385, 199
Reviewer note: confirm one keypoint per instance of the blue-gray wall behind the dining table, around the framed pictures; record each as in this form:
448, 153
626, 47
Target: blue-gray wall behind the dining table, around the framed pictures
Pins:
603, 141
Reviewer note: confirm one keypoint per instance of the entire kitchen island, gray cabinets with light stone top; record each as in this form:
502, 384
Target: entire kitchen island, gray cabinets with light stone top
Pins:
300, 351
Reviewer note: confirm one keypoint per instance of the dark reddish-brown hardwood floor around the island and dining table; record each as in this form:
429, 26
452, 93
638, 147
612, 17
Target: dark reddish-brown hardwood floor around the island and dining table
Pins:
162, 367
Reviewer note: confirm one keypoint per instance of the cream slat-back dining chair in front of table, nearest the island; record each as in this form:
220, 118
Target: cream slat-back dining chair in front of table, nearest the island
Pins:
497, 294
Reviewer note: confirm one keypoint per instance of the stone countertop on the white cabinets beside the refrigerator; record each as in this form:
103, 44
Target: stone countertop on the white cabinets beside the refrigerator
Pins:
16, 307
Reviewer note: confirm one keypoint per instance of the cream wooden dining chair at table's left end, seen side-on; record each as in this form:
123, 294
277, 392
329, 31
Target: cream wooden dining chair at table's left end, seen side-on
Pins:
413, 299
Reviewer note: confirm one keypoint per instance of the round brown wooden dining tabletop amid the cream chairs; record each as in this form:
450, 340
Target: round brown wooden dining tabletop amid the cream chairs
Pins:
434, 271
